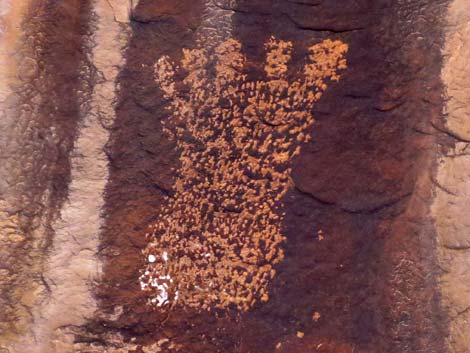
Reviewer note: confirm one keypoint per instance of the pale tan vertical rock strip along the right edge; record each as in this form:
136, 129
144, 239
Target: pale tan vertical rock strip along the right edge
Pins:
451, 207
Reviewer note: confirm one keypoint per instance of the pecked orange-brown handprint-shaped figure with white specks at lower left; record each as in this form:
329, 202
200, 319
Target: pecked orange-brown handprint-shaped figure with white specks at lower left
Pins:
218, 237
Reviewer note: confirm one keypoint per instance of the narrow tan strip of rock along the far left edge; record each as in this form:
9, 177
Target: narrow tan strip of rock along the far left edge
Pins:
11, 16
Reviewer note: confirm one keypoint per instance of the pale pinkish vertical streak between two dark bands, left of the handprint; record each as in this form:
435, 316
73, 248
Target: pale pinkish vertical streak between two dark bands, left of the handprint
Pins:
72, 265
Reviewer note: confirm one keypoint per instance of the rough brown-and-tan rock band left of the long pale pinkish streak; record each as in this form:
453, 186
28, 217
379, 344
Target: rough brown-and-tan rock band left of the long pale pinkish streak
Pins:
39, 118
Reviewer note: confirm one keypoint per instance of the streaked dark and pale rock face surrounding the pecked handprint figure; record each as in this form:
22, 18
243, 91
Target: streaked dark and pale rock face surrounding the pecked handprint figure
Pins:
366, 263
